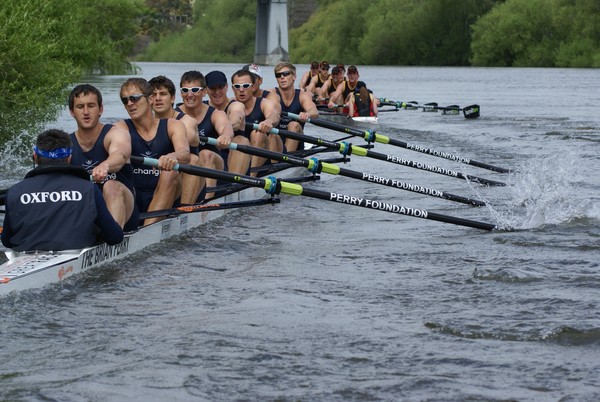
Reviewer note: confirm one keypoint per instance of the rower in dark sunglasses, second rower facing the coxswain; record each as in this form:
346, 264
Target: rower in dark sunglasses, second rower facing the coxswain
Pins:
165, 139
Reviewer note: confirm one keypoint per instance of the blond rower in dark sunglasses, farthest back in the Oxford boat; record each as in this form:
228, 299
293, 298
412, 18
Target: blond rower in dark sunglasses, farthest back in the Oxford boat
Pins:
293, 101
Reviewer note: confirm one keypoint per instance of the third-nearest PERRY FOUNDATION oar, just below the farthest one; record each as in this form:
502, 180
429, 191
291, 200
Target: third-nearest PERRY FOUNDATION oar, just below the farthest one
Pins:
348, 149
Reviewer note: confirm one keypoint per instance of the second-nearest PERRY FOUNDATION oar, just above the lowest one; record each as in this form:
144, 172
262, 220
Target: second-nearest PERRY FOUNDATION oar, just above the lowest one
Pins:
315, 165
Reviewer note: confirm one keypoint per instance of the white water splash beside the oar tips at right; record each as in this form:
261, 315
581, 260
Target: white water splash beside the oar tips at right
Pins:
547, 190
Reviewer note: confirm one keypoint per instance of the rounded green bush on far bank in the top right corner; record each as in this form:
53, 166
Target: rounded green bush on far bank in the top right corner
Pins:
539, 33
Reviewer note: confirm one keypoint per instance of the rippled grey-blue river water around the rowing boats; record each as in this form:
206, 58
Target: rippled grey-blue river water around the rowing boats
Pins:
315, 300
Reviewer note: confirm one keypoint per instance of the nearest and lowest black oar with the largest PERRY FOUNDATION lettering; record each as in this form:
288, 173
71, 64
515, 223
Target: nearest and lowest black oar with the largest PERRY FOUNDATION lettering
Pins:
272, 185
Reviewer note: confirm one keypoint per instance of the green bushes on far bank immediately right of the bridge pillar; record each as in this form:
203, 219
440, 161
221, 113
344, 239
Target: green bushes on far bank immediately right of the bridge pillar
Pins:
410, 32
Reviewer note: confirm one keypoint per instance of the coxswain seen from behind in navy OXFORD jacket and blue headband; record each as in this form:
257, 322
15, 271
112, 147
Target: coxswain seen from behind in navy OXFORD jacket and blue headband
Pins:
56, 207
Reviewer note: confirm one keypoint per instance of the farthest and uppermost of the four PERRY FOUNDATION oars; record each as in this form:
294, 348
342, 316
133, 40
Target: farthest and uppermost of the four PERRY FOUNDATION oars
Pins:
371, 136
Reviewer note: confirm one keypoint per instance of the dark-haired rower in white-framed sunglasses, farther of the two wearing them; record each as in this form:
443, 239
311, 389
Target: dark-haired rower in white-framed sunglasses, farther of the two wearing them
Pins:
260, 111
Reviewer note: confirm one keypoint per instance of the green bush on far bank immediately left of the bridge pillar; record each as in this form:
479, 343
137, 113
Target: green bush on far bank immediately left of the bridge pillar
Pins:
223, 32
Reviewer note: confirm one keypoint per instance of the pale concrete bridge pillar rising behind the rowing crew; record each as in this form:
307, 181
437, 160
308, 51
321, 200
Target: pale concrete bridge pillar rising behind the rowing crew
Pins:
271, 32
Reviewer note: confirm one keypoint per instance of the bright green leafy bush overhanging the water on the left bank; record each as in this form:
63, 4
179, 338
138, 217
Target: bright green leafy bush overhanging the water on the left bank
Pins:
45, 46
